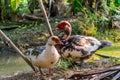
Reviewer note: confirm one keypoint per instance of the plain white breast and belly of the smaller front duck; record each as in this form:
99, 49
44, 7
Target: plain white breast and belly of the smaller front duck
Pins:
49, 58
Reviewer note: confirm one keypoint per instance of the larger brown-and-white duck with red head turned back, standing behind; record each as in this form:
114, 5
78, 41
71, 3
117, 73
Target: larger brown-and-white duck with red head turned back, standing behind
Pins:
77, 47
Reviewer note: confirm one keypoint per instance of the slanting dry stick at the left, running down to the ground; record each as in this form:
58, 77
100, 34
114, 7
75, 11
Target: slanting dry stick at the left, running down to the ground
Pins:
10, 43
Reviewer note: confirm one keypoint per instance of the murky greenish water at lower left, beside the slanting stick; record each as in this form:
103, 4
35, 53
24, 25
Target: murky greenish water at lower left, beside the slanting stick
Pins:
11, 63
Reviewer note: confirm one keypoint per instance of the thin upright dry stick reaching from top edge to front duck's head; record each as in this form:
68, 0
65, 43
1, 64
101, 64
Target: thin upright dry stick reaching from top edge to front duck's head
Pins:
45, 15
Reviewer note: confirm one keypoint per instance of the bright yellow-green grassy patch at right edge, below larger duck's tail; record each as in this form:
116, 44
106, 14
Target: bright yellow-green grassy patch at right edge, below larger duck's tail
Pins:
113, 51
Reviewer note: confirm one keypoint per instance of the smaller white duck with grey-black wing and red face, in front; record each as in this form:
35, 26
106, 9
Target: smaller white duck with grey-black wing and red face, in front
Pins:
45, 57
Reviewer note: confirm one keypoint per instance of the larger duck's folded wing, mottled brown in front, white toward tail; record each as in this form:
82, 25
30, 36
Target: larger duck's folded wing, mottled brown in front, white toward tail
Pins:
89, 44
